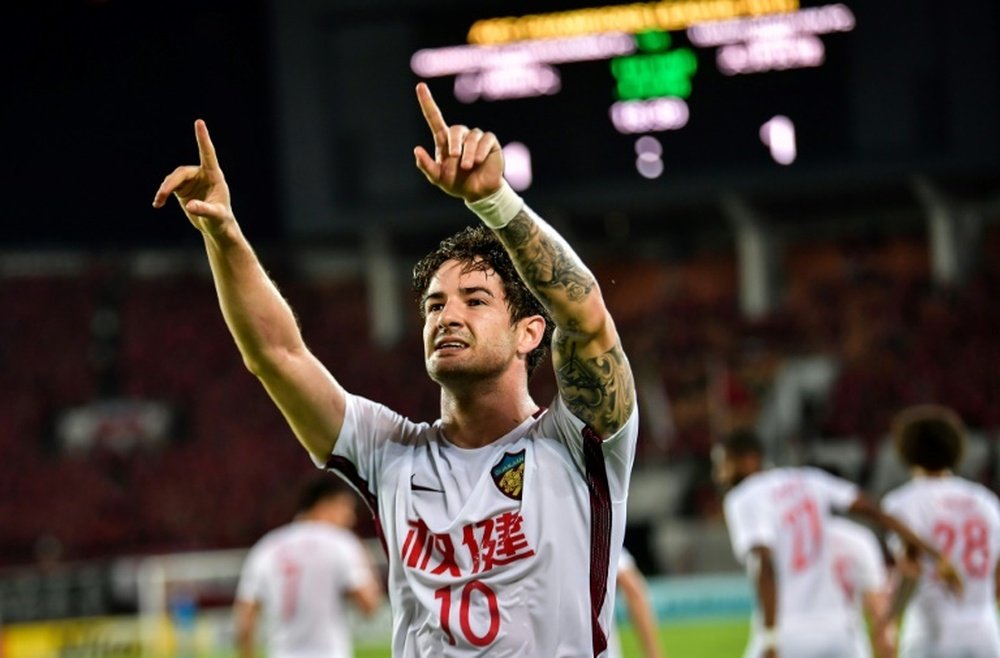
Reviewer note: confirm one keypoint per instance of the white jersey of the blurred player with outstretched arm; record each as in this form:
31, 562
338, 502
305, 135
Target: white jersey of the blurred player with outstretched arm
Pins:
788, 511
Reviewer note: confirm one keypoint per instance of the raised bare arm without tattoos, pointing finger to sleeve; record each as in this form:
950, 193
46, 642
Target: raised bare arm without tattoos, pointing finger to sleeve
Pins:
259, 319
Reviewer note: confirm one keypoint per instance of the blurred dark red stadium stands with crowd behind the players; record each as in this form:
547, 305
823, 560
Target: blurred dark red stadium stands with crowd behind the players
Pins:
219, 474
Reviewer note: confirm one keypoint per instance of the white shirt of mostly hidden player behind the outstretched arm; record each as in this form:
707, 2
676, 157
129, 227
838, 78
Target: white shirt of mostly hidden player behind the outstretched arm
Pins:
859, 568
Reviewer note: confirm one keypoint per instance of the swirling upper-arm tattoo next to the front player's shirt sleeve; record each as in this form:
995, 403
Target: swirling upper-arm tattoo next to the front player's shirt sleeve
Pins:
599, 390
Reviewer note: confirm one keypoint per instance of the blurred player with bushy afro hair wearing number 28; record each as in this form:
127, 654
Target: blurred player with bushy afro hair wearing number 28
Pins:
963, 519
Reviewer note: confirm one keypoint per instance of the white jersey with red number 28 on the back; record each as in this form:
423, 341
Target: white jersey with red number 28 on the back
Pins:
962, 519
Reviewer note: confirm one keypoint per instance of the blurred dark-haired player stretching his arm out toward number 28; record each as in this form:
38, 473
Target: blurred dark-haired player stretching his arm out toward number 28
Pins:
778, 521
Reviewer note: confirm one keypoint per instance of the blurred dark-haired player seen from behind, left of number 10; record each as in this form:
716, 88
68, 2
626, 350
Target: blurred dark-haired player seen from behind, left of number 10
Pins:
301, 577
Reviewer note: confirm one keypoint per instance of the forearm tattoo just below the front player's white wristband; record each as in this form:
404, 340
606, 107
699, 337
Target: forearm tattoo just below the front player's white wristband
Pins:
545, 264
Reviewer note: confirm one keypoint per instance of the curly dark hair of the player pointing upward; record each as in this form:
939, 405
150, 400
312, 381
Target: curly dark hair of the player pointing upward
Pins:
479, 249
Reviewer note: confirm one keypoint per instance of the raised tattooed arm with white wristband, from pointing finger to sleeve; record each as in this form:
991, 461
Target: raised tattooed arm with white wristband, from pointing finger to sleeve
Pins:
592, 372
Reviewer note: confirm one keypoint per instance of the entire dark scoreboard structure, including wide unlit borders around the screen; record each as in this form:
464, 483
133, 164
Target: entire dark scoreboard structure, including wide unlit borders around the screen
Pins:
603, 105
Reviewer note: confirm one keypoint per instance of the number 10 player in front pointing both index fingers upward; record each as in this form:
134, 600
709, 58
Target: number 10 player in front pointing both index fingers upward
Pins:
503, 519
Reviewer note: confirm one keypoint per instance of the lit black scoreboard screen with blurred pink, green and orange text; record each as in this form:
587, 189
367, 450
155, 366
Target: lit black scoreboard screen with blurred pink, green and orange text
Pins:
650, 90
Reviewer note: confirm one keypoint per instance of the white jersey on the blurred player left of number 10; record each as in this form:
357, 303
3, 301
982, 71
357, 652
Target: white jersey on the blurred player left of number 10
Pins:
300, 574
